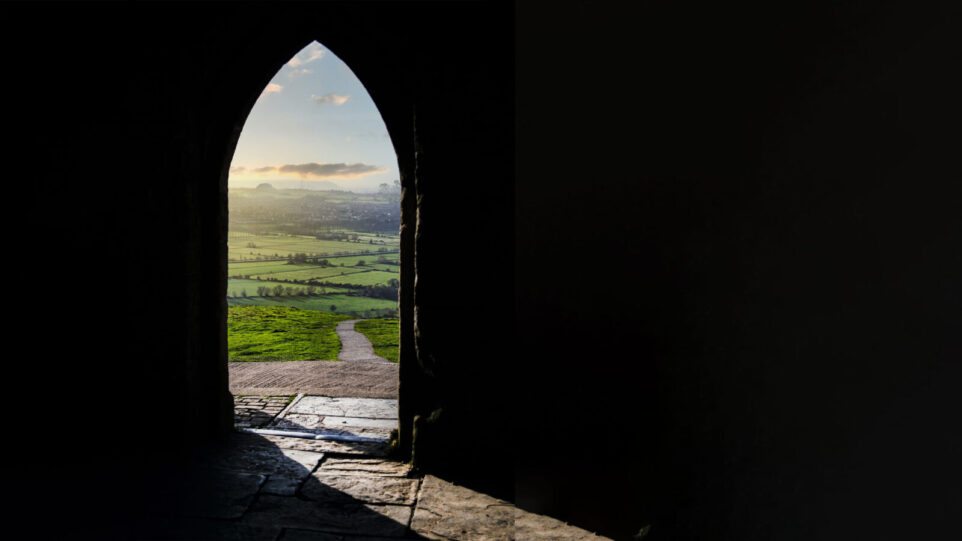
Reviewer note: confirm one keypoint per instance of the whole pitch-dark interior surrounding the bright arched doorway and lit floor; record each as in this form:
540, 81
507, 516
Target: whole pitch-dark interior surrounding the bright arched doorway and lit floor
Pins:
716, 282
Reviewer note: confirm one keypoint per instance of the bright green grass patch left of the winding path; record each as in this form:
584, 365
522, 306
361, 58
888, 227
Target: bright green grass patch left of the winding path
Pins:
281, 333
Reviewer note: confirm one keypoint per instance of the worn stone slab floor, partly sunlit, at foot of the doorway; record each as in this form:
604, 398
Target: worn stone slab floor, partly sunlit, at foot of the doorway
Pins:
332, 481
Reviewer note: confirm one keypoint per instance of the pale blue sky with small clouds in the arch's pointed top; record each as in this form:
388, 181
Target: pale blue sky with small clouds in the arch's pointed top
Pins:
314, 122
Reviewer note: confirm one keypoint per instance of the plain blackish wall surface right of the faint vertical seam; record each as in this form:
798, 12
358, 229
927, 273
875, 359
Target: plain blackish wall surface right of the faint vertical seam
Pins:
762, 340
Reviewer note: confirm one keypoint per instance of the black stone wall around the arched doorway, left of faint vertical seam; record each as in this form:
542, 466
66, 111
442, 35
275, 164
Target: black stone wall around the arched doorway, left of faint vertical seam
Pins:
124, 118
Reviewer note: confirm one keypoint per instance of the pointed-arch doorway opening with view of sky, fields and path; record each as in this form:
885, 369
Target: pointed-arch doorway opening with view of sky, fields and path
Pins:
313, 258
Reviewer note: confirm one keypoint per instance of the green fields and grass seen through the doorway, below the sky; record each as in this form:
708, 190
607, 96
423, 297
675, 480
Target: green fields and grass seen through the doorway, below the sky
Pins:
298, 262
